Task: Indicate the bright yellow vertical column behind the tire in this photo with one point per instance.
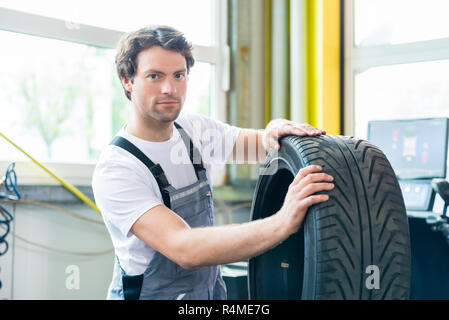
(323, 65)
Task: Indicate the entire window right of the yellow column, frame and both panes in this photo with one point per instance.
(396, 61)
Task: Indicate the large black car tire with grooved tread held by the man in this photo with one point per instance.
(335, 253)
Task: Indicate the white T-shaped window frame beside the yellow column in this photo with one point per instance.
(362, 58)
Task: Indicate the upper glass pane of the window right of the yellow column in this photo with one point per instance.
(379, 22)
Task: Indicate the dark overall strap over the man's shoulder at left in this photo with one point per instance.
(155, 169)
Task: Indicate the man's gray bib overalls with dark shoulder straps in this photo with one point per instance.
(163, 278)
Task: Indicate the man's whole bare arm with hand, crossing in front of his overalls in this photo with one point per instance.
(166, 232)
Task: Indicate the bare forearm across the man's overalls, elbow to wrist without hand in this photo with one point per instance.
(230, 243)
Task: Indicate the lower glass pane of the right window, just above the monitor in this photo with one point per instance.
(406, 91)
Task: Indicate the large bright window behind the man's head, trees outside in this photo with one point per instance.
(61, 99)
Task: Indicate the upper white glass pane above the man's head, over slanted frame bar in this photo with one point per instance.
(193, 18)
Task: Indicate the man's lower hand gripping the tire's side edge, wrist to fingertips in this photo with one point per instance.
(301, 195)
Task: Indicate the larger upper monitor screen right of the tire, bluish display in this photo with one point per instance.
(416, 149)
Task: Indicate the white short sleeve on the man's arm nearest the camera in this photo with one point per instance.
(123, 194)
